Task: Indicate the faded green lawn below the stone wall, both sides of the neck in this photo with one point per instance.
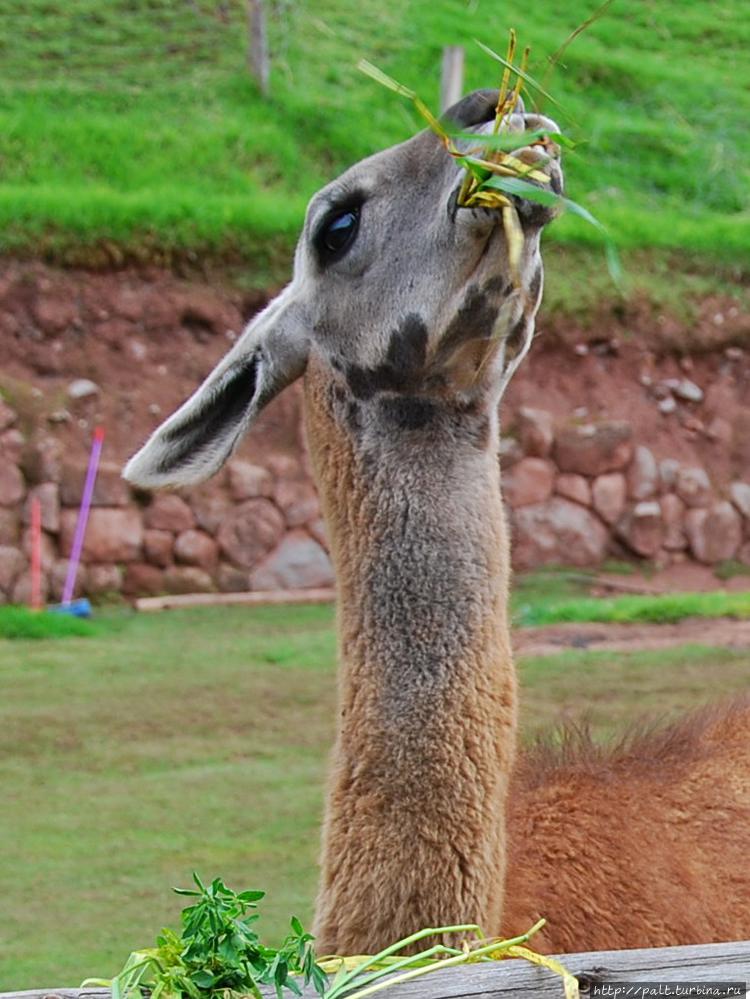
(198, 740)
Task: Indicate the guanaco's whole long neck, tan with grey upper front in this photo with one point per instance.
(414, 830)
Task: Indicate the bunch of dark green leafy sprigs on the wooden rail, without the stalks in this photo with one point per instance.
(218, 952)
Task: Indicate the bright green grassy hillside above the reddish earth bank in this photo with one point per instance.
(133, 124)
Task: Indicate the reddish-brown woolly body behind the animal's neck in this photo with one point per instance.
(643, 845)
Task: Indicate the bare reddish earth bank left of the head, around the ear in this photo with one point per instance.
(146, 339)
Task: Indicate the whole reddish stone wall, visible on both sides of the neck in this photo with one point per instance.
(576, 493)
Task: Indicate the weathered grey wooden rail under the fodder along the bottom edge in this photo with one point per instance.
(726, 962)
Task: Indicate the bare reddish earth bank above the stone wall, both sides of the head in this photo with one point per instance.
(147, 338)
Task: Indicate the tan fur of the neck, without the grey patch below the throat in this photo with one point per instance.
(414, 826)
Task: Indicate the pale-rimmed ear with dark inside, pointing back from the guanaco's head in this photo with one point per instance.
(195, 441)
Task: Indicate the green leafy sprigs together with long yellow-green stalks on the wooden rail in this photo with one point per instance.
(219, 955)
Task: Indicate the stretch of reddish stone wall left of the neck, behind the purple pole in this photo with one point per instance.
(253, 527)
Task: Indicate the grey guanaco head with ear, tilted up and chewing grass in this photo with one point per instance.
(407, 302)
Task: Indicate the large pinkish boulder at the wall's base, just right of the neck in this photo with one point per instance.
(557, 531)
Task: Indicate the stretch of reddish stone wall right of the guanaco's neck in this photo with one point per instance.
(581, 492)
